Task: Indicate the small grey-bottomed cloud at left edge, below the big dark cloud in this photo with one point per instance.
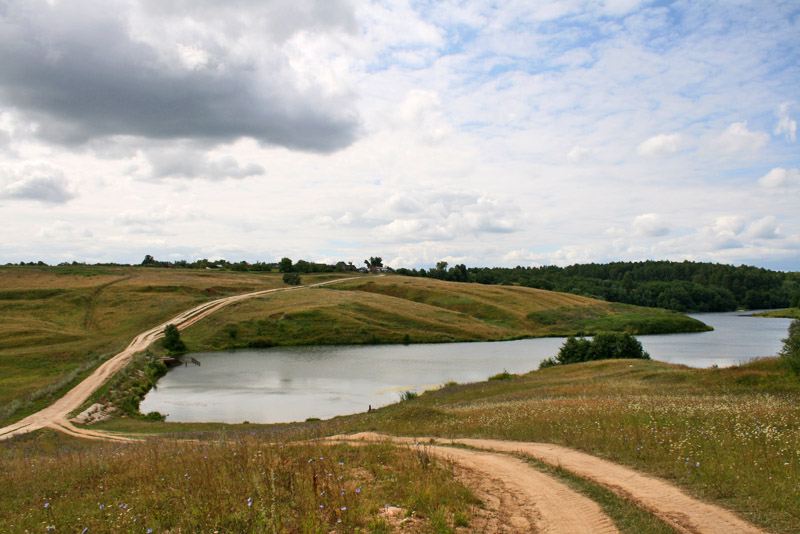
(41, 182)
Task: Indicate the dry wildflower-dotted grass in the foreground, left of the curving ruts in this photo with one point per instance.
(241, 484)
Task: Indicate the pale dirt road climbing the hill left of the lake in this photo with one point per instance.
(56, 416)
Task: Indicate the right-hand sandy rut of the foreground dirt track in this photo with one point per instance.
(665, 501)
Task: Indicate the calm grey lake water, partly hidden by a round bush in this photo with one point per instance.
(294, 383)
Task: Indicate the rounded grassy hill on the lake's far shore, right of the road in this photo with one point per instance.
(395, 309)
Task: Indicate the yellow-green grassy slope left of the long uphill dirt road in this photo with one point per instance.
(58, 323)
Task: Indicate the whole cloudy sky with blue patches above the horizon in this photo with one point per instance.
(490, 133)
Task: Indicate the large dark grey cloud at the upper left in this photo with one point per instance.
(93, 68)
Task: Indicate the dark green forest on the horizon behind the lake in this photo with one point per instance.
(681, 286)
